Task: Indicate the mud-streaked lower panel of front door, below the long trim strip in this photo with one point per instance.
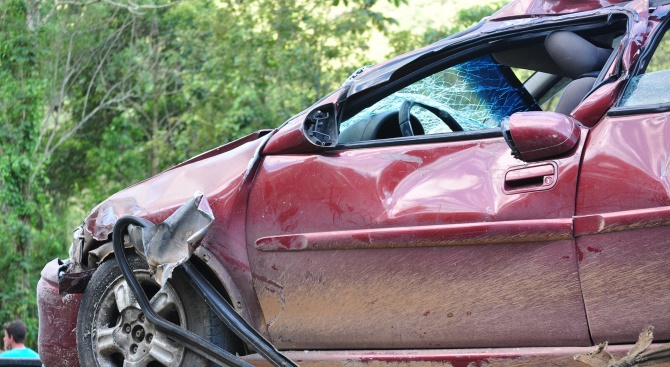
(498, 295)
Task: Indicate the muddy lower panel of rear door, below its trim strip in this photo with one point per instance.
(625, 278)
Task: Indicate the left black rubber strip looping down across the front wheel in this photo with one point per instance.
(190, 340)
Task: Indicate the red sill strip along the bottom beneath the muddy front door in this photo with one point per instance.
(521, 357)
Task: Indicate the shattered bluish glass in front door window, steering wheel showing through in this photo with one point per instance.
(474, 95)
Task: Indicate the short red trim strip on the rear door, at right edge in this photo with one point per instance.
(622, 221)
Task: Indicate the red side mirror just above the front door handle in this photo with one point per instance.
(533, 136)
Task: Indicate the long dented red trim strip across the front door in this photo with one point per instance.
(424, 236)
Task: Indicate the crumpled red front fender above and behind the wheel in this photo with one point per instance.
(222, 179)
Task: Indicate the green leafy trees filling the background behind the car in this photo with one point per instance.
(98, 95)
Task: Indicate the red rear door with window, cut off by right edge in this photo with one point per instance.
(623, 206)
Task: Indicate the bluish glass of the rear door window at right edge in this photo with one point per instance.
(651, 88)
